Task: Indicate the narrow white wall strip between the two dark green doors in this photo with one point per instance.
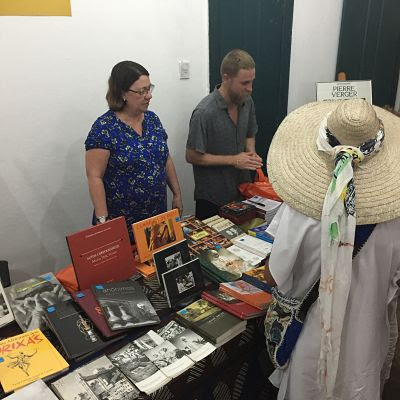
(315, 38)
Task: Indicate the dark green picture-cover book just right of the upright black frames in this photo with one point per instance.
(223, 264)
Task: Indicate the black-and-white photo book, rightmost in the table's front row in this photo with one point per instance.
(194, 346)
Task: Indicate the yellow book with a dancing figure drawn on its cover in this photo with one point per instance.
(26, 358)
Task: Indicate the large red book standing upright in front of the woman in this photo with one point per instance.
(102, 253)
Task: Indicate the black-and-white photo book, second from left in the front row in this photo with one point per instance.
(137, 367)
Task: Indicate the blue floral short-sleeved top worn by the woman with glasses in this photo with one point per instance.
(135, 179)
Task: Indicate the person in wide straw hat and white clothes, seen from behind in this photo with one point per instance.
(336, 165)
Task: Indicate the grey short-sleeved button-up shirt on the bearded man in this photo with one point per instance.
(212, 131)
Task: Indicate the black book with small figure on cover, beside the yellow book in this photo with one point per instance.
(73, 329)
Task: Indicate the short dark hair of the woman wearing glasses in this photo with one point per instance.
(122, 76)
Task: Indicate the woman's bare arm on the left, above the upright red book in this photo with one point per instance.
(96, 164)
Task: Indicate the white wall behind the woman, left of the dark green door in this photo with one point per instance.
(53, 82)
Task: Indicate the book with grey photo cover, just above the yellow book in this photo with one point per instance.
(29, 300)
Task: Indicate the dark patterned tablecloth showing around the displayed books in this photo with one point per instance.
(237, 370)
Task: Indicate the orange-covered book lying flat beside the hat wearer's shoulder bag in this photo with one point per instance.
(246, 292)
